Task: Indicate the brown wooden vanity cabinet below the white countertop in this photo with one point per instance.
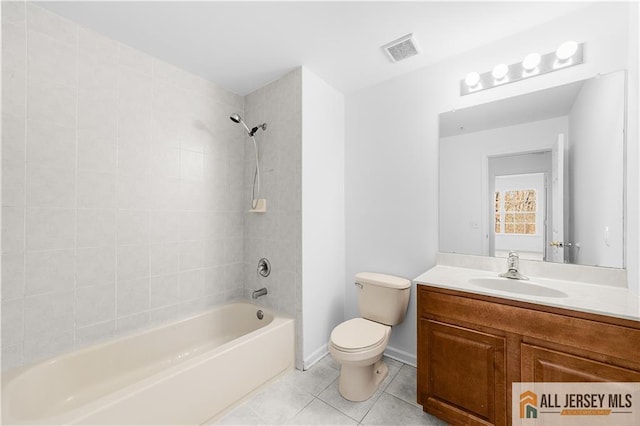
(471, 348)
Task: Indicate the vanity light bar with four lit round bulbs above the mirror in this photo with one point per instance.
(568, 54)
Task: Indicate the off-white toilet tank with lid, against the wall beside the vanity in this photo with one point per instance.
(382, 298)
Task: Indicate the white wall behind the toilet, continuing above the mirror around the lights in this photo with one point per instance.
(392, 146)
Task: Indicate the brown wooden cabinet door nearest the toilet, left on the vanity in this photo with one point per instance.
(463, 373)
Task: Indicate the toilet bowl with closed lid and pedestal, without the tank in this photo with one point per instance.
(358, 345)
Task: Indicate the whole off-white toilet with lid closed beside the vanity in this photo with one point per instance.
(358, 344)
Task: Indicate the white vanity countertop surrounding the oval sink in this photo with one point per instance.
(607, 300)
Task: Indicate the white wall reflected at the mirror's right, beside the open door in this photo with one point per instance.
(596, 124)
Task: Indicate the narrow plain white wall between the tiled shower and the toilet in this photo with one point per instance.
(323, 222)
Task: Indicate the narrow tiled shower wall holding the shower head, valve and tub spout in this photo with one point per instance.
(276, 234)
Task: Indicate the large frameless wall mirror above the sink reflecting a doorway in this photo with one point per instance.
(540, 173)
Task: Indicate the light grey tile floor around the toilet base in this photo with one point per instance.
(312, 398)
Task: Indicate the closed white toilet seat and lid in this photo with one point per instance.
(357, 335)
